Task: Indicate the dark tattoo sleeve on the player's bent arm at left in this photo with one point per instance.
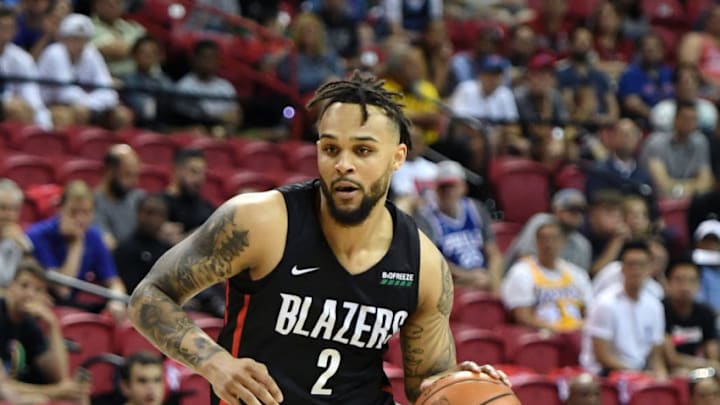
(198, 262)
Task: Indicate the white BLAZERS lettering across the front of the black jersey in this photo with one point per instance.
(344, 322)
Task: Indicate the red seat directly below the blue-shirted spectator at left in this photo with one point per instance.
(92, 333)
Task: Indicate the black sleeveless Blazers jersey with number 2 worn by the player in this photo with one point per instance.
(320, 330)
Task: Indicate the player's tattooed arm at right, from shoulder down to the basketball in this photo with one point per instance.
(427, 342)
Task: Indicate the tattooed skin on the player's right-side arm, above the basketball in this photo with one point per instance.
(427, 343)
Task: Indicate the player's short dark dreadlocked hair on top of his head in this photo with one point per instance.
(365, 89)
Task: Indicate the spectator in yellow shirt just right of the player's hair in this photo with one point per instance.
(404, 74)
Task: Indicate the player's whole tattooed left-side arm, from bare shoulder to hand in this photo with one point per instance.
(240, 236)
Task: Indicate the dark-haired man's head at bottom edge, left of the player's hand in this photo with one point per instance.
(142, 379)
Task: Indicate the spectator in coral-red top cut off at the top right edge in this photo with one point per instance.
(701, 49)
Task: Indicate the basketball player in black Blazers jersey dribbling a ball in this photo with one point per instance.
(320, 275)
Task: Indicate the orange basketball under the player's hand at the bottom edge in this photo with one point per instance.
(467, 388)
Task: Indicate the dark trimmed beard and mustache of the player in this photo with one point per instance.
(378, 189)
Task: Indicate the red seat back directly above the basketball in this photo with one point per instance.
(480, 346)
